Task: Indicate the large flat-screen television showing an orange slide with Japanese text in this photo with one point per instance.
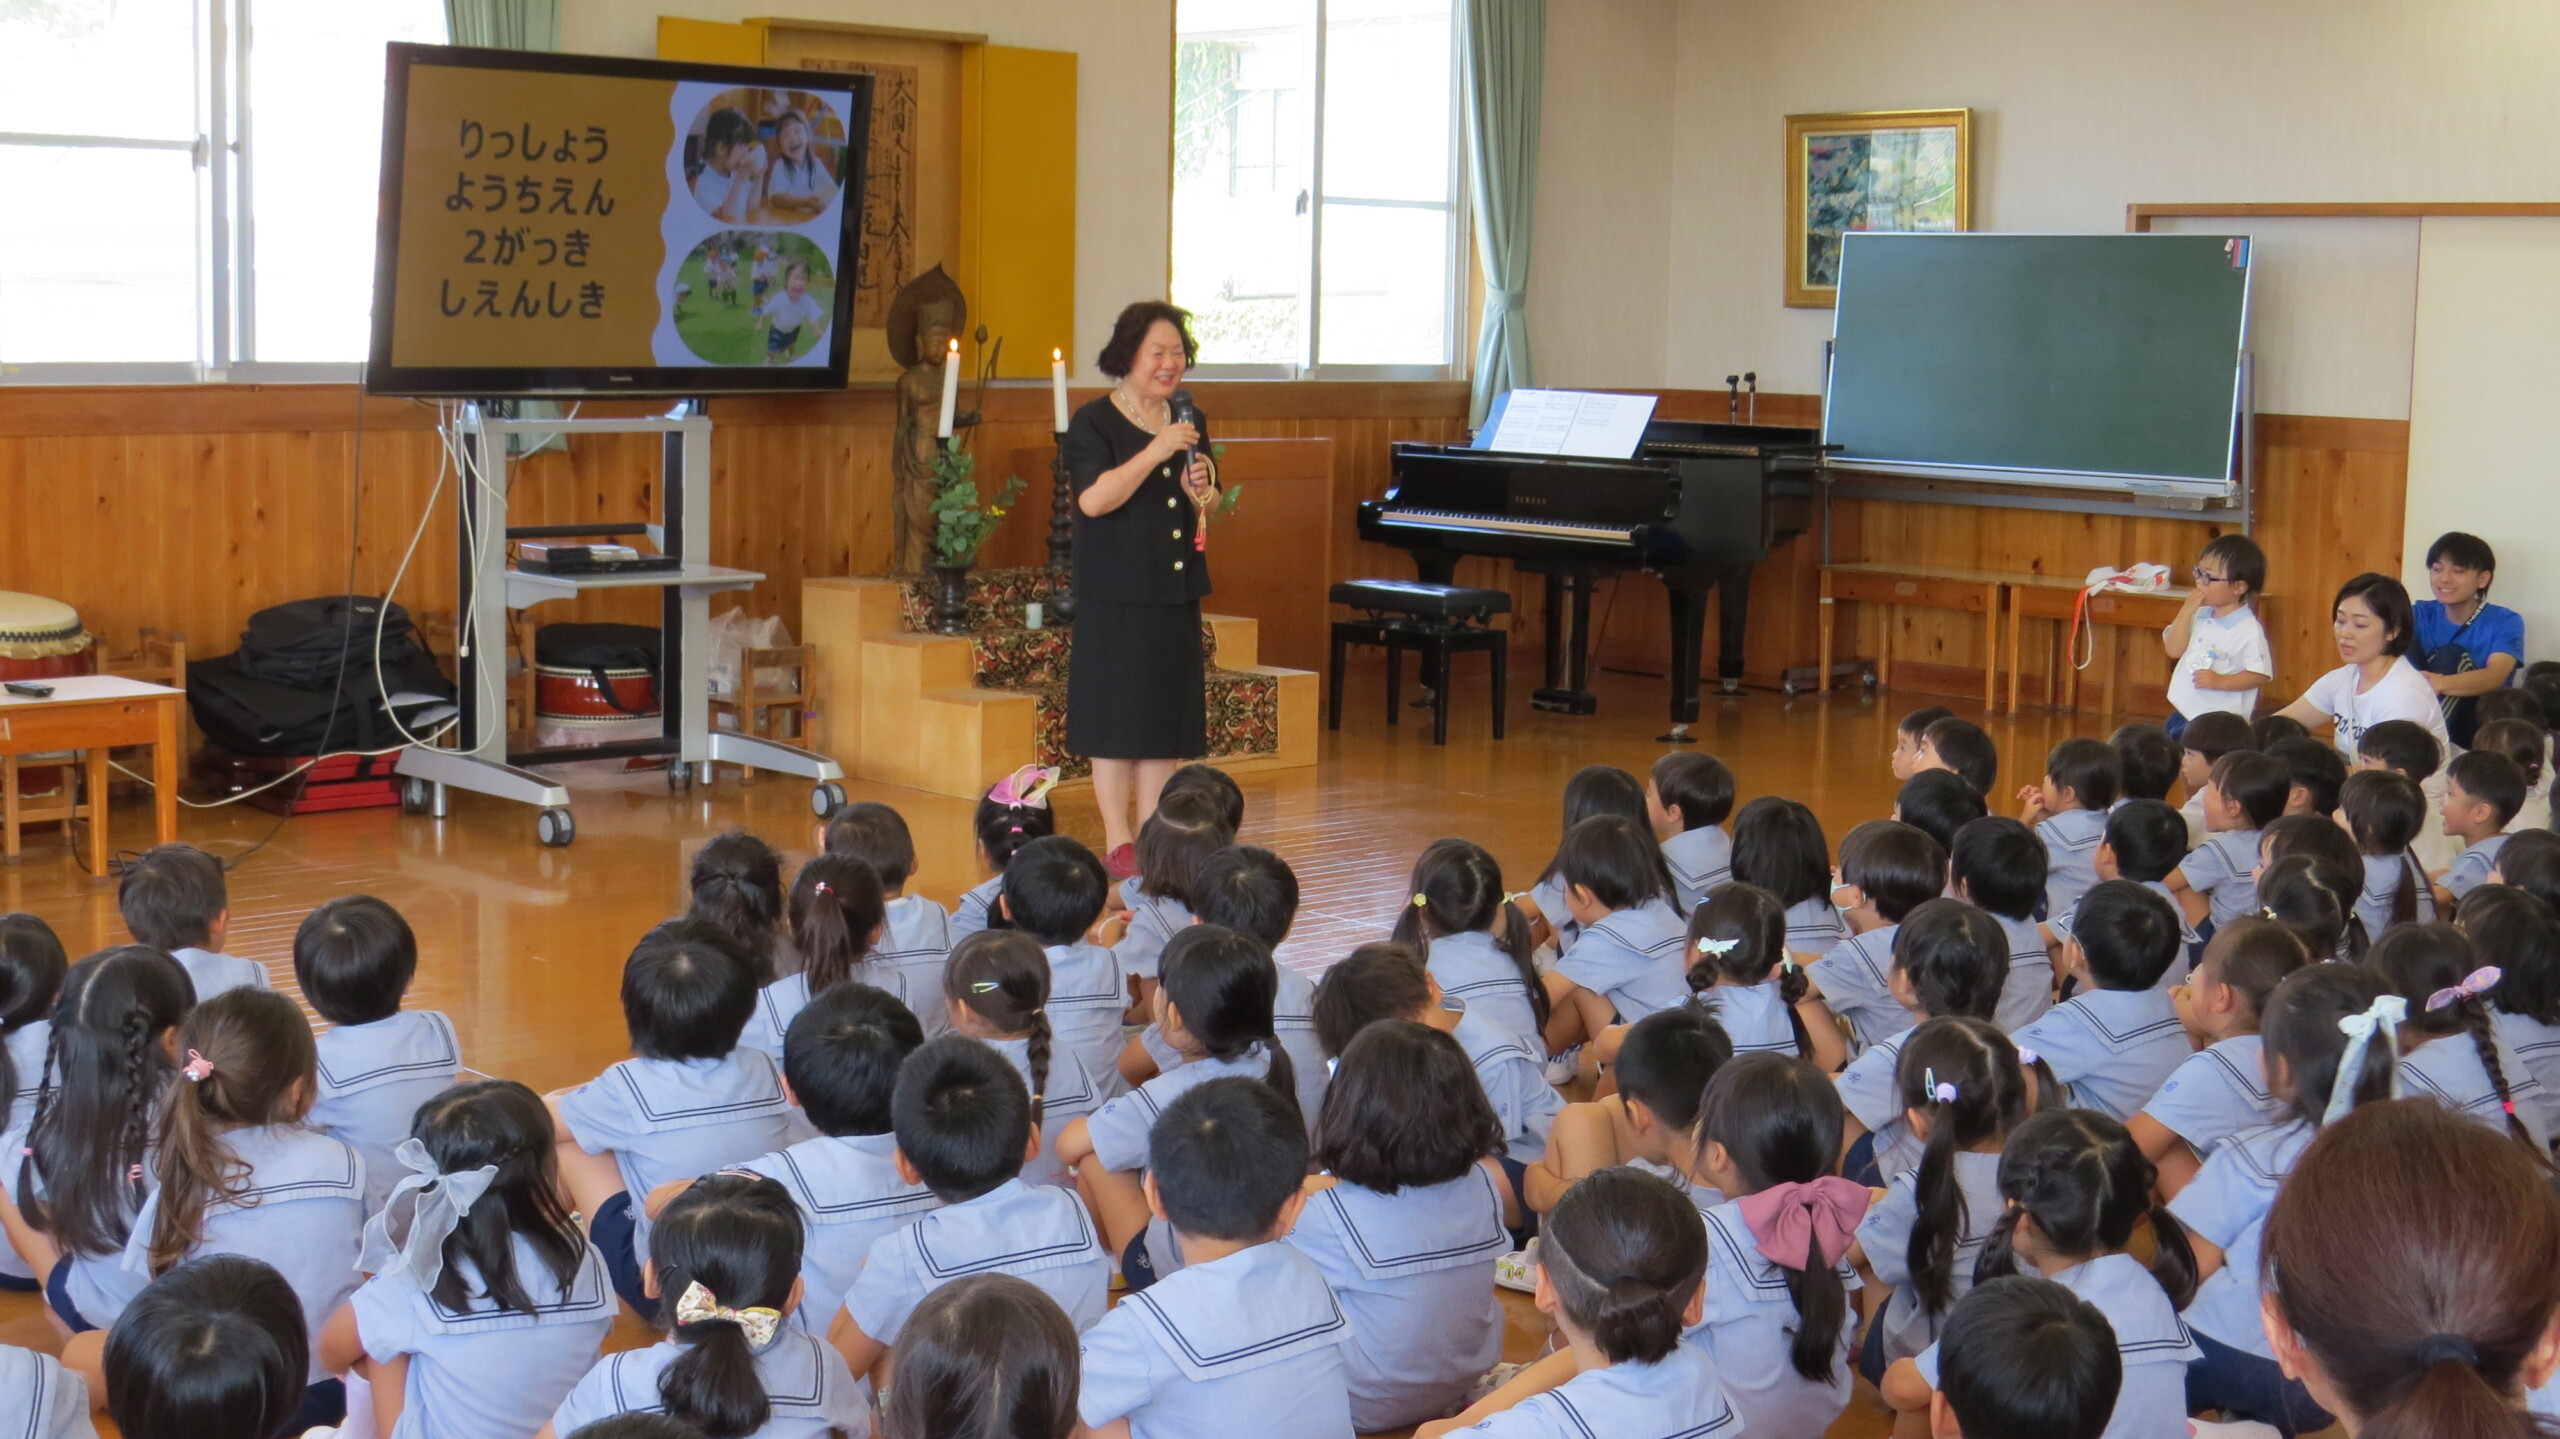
(559, 224)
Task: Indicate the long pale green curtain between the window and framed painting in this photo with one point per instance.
(1507, 65)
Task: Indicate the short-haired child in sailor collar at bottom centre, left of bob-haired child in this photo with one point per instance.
(1245, 1333)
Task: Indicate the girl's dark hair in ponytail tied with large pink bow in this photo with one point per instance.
(1780, 1123)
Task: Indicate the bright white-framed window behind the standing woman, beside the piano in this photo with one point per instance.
(1317, 211)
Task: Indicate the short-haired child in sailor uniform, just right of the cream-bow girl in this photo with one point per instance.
(964, 1133)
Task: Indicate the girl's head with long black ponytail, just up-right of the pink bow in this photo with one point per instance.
(1967, 1079)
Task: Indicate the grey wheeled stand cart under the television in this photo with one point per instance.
(488, 588)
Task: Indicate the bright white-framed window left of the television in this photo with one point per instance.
(191, 186)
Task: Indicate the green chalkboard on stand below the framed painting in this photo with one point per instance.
(2054, 360)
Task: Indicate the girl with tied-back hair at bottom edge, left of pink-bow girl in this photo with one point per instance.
(1622, 1271)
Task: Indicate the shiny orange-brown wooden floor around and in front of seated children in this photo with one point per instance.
(524, 946)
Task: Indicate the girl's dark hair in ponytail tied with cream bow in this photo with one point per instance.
(726, 1253)
